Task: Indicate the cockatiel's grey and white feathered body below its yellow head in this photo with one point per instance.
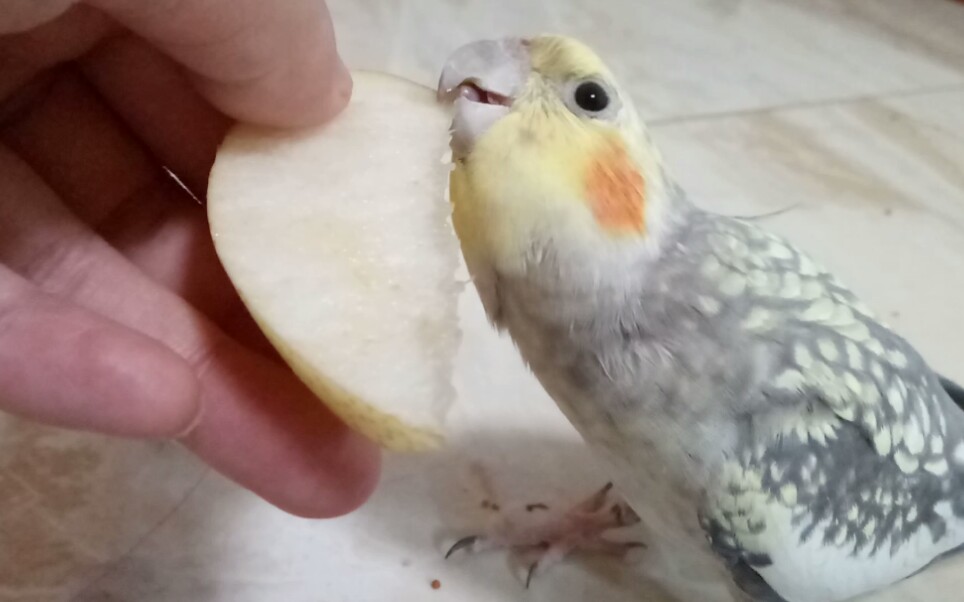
(760, 385)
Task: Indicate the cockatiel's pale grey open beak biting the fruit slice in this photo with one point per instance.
(482, 79)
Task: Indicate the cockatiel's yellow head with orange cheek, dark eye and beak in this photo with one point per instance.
(550, 156)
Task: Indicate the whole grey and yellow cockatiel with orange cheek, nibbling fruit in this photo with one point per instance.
(767, 429)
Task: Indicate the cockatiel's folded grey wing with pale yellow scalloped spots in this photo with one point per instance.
(850, 473)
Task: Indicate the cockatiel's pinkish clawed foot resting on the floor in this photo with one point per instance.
(544, 543)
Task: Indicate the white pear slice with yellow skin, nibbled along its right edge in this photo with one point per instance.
(339, 241)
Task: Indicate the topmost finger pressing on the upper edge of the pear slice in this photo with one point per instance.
(274, 63)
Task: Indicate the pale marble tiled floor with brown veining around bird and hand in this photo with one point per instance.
(850, 112)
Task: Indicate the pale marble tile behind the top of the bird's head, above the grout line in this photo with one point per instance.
(692, 56)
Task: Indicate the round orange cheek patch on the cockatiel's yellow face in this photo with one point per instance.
(616, 191)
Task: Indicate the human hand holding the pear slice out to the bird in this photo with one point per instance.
(115, 315)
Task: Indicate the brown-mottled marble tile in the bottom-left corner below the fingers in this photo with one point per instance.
(72, 503)
